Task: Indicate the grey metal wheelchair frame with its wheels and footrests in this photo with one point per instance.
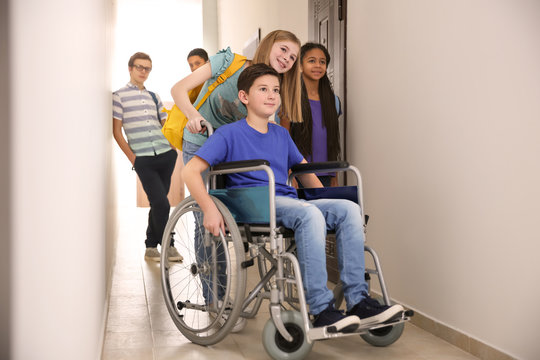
(287, 333)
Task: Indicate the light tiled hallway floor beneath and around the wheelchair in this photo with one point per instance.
(139, 327)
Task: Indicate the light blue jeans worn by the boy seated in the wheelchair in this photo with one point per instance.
(310, 220)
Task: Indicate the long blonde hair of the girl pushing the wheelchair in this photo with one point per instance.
(291, 88)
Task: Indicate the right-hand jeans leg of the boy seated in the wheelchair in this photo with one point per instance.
(344, 217)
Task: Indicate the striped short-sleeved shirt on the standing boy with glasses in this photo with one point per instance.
(137, 110)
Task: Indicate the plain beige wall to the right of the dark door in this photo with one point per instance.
(444, 123)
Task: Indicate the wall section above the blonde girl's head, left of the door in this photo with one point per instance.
(239, 19)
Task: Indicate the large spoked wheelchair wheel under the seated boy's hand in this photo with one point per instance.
(204, 292)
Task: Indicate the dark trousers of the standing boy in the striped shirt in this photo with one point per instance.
(155, 175)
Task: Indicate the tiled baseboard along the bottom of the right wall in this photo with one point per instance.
(457, 338)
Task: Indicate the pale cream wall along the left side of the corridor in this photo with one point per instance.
(60, 136)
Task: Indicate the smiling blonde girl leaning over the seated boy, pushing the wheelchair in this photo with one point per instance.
(279, 49)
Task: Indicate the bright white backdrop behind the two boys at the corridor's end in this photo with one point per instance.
(171, 29)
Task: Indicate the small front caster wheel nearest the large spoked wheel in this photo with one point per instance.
(279, 348)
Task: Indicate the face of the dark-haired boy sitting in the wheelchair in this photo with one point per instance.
(263, 97)
